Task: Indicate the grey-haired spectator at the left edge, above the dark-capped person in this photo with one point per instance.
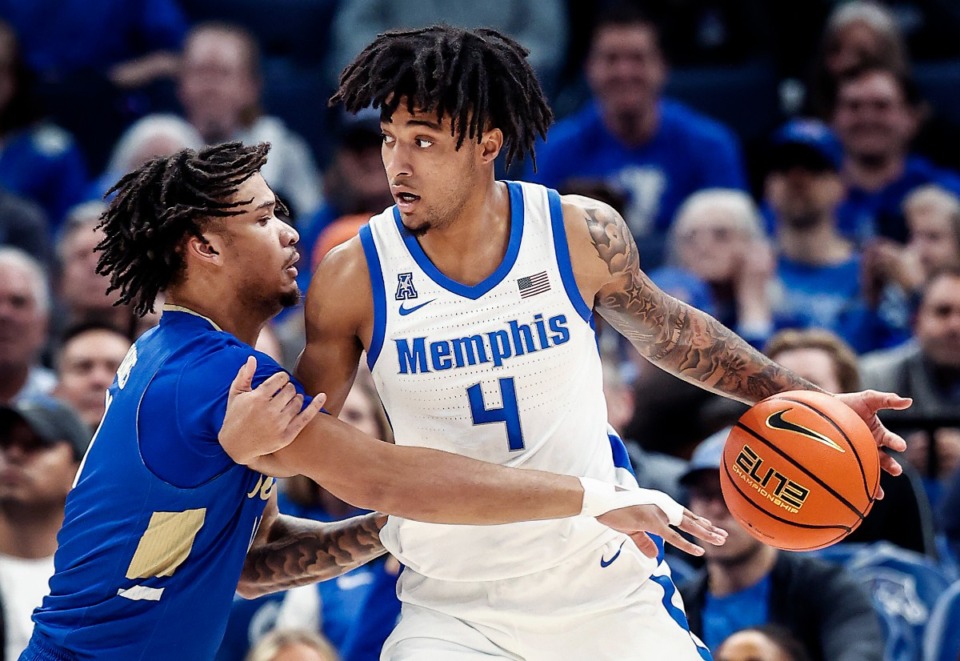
(24, 320)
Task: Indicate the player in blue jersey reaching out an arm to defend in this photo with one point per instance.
(175, 501)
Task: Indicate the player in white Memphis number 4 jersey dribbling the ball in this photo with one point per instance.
(474, 301)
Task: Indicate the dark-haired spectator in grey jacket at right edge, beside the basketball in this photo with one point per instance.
(928, 370)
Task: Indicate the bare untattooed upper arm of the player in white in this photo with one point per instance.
(338, 321)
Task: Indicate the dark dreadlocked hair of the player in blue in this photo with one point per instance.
(159, 204)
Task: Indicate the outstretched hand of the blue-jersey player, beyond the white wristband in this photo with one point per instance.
(638, 520)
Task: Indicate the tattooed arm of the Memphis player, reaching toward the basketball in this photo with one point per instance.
(679, 338)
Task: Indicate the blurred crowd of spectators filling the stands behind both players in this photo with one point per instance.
(789, 167)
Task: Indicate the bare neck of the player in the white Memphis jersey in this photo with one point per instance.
(471, 245)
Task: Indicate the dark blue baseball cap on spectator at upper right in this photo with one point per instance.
(807, 143)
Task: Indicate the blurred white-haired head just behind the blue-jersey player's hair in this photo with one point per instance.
(151, 136)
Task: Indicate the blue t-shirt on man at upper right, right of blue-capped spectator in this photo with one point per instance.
(865, 214)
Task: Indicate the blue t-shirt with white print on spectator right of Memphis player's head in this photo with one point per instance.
(688, 152)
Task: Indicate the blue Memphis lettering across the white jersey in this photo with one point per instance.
(419, 354)
